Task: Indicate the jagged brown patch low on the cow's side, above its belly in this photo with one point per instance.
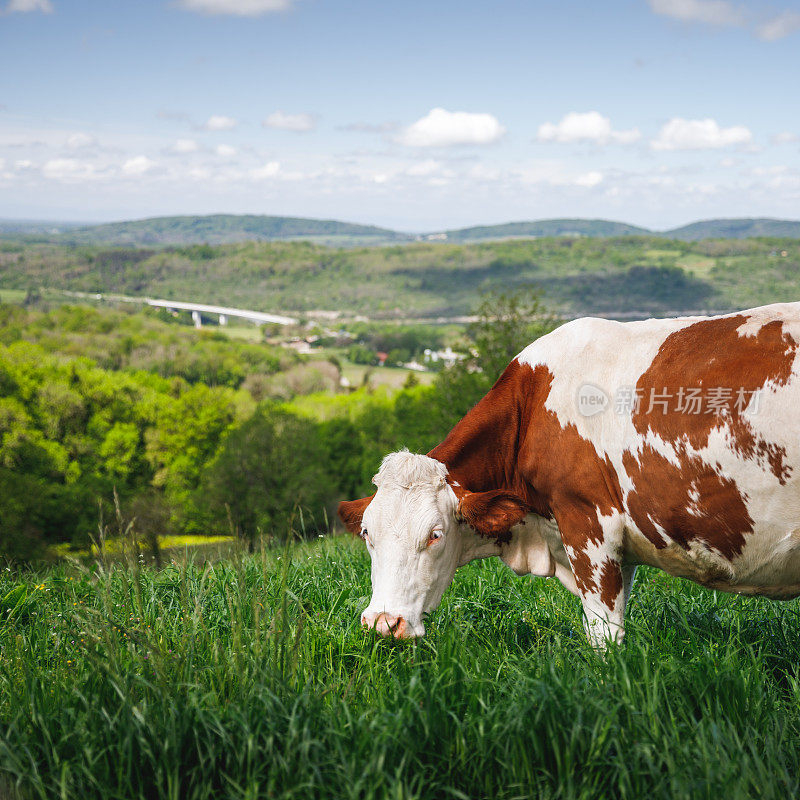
(689, 501)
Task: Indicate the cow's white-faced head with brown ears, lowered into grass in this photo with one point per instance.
(418, 529)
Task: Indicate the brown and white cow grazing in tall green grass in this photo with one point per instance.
(604, 445)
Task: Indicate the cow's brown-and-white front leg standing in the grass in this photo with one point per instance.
(604, 583)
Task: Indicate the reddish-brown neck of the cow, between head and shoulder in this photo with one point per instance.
(481, 452)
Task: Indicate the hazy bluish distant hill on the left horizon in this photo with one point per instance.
(225, 229)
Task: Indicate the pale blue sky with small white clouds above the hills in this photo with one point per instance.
(415, 115)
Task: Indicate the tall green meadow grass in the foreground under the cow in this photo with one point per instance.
(250, 678)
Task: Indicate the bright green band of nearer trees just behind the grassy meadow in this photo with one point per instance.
(195, 458)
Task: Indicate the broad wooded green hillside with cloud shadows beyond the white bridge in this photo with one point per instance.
(622, 276)
